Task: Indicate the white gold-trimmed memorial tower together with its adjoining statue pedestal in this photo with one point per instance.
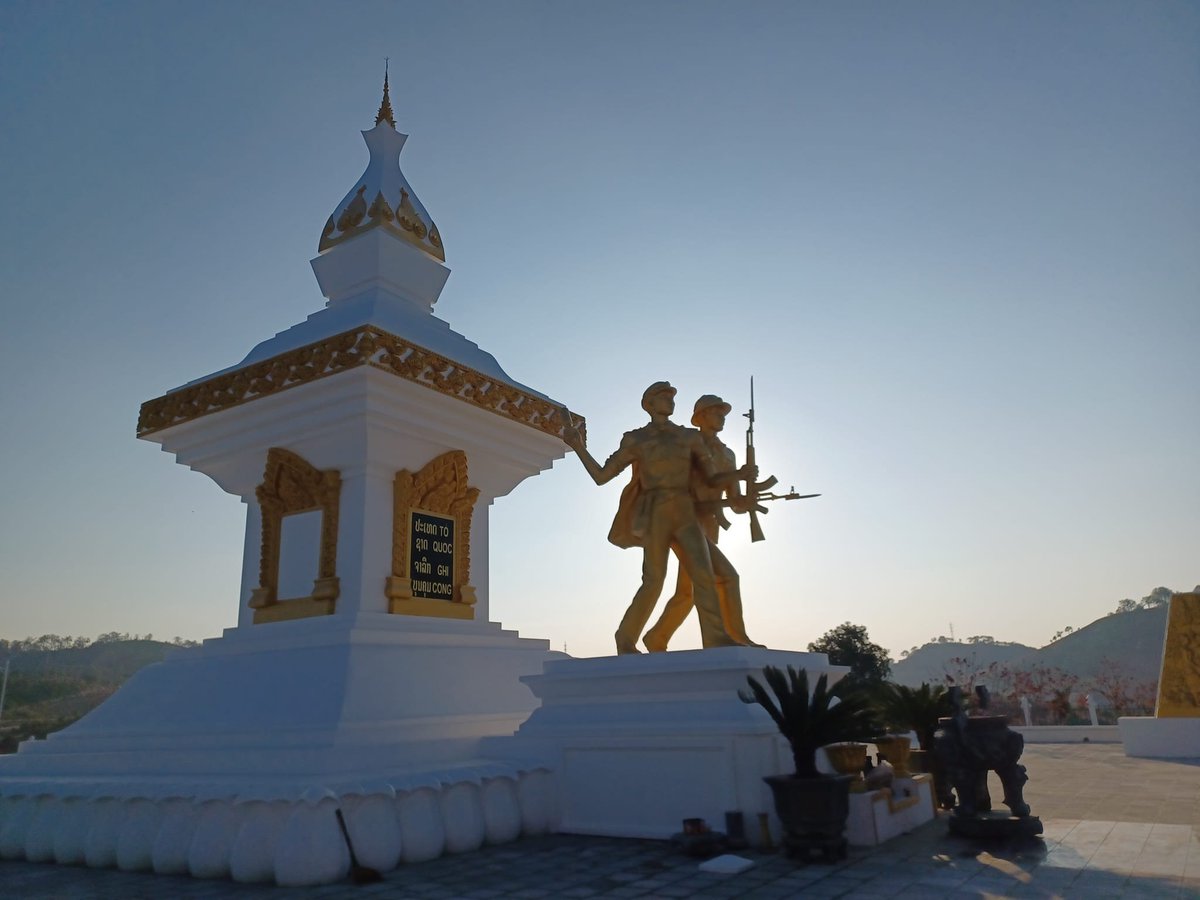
(365, 674)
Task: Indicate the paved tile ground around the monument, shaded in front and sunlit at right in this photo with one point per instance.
(1114, 829)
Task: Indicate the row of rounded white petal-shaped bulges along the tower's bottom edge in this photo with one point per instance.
(257, 839)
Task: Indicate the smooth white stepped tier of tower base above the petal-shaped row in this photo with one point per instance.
(315, 701)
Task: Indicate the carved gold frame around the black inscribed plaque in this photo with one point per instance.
(440, 488)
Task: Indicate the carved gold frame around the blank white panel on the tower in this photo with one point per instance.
(292, 485)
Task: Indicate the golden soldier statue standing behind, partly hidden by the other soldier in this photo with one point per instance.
(709, 416)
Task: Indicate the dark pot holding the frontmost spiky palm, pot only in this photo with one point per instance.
(814, 813)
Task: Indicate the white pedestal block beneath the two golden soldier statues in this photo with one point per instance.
(639, 743)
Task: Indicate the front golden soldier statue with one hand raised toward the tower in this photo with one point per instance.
(657, 512)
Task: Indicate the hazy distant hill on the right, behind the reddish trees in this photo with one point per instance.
(1133, 639)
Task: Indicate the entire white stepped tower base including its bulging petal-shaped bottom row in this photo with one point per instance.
(229, 760)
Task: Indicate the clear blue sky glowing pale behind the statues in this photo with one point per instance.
(957, 245)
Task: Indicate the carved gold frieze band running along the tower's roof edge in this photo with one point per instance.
(363, 347)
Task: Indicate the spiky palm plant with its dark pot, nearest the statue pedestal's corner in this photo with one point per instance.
(812, 806)
